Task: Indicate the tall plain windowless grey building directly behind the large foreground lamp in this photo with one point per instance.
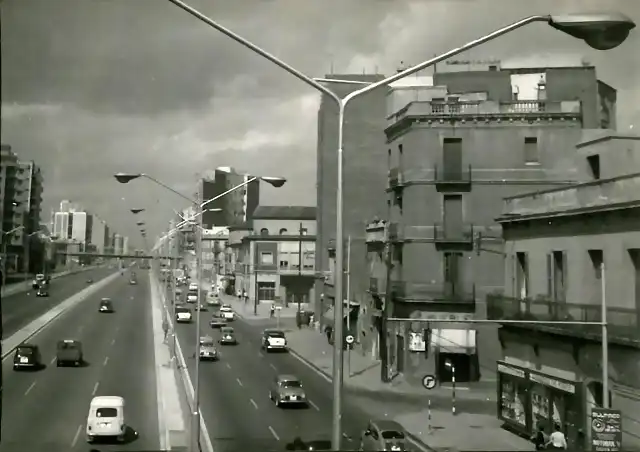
(365, 171)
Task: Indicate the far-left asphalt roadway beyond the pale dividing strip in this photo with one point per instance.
(20, 309)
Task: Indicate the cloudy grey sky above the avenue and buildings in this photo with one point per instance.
(94, 87)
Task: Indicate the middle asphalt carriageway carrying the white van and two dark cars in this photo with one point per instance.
(47, 410)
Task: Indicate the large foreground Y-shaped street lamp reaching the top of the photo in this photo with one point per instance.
(600, 31)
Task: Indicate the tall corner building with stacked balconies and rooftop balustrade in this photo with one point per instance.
(457, 145)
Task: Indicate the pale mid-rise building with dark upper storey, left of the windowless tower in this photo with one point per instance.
(275, 259)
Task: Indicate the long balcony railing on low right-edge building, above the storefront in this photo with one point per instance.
(624, 323)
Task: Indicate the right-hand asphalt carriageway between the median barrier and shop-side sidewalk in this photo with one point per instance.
(235, 395)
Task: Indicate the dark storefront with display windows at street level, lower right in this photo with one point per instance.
(528, 399)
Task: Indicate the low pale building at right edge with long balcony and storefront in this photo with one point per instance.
(572, 253)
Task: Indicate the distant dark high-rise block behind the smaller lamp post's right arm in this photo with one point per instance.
(235, 207)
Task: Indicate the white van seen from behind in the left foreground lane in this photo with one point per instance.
(106, 418)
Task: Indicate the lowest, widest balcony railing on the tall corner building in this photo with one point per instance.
(435, 293)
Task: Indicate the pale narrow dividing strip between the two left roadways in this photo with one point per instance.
(37, 325)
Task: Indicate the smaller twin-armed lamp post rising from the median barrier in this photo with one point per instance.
(199, 204)
